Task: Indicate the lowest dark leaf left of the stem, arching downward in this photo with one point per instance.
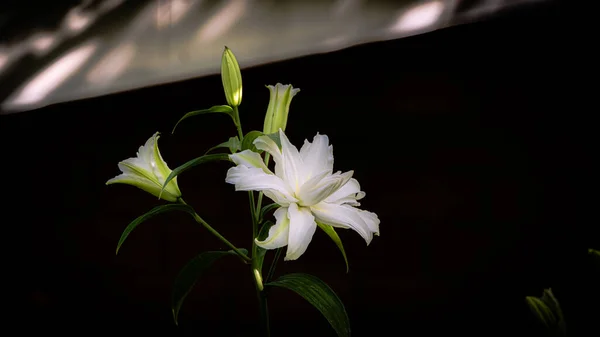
(189, 275)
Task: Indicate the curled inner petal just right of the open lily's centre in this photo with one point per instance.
(318, 188)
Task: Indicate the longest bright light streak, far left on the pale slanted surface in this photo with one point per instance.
(53, 76)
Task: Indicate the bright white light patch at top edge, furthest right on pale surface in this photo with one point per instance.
(419, 17)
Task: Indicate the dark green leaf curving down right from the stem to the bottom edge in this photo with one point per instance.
(320, 295)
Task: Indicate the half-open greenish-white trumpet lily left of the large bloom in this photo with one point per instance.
(148, 171)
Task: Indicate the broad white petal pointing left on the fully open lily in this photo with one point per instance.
(255, 179)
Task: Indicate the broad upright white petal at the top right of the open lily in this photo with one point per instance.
(316, 156)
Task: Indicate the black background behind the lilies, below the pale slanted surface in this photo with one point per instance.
(463, 139)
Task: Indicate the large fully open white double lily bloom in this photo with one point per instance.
(307, 190)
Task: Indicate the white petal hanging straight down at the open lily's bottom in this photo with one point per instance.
(302, 229)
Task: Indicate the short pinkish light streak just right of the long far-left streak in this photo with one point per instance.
(112, 65)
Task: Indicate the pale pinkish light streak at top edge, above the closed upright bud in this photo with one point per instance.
(222, 21)
